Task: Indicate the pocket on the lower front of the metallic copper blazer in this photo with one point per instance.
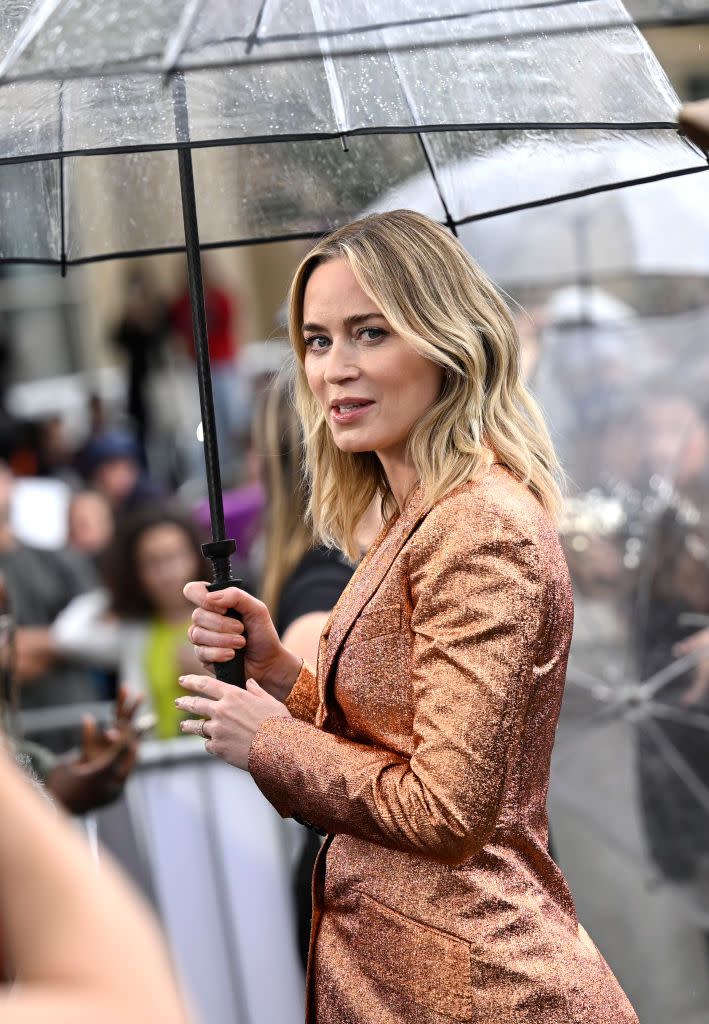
(432, 967)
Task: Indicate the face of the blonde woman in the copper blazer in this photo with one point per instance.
(372, 385)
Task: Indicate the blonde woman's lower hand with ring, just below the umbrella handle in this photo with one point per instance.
(230, 717)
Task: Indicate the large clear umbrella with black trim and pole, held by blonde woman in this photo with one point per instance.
(123, 125)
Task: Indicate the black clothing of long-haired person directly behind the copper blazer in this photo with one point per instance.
(315, 585)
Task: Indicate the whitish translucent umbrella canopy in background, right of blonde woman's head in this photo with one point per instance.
(660, 228)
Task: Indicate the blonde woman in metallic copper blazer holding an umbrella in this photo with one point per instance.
(423, 745)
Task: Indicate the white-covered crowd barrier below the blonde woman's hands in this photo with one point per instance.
(214, 857)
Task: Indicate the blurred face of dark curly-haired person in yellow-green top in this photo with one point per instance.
(165, 562)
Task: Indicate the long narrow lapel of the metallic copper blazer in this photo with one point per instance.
(361, 589)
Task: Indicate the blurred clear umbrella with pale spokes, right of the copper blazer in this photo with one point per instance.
(630, 799)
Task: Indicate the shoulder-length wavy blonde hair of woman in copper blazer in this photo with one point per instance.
(435, 296)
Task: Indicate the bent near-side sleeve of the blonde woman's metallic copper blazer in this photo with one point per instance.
(477, 598)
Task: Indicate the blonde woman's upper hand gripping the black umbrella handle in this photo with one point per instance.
(217, 637)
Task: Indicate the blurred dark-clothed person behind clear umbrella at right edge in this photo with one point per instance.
(673, 602)
